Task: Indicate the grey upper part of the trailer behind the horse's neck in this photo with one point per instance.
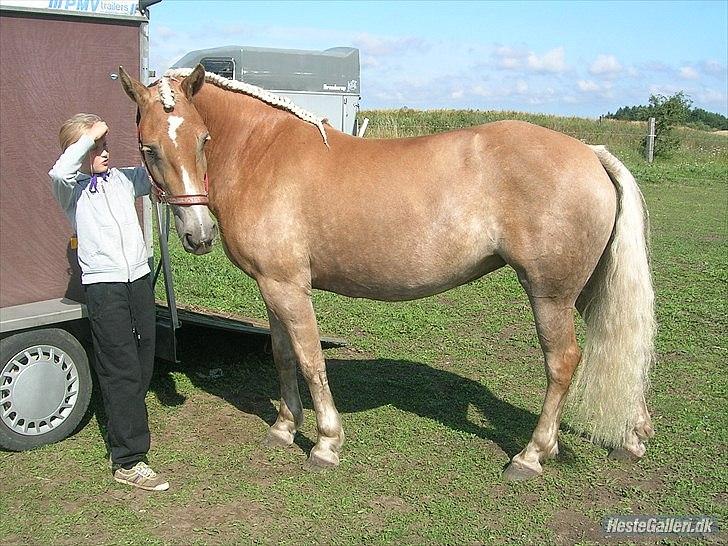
(334, 70)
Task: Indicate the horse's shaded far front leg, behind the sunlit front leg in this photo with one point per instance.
(290, 411)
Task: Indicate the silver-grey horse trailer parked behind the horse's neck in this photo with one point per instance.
(324, 82)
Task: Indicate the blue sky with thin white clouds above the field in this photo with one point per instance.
(567, 58)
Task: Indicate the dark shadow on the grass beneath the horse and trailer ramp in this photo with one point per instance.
(240, 370)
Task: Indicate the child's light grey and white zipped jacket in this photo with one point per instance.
(111, 246)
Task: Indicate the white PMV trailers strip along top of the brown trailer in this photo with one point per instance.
(118, 9)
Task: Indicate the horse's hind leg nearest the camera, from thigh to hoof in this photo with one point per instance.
(555, 326)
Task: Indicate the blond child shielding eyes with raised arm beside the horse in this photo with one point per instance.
(99, 202)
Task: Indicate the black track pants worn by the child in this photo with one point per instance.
(122, 319)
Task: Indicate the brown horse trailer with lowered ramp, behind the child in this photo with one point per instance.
(45, 376)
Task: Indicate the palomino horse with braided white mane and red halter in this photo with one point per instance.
(300, 205)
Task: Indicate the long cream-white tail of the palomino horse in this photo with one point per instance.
(612, 379)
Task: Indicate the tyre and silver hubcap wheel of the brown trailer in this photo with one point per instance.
(45, 388)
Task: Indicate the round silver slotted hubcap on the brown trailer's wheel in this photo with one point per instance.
(38, 390)
